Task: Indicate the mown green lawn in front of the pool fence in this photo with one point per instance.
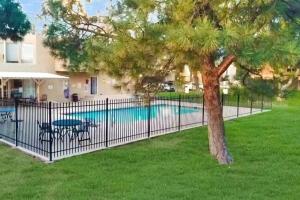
(266, 149)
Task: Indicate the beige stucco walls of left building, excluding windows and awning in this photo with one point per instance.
(54, 89)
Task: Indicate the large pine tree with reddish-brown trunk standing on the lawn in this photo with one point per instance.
(142, 39)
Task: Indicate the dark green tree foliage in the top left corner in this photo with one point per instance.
(13, 22)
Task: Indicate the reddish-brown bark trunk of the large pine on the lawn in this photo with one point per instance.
(216, 129)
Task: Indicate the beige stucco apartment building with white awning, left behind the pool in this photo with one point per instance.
(27, 70)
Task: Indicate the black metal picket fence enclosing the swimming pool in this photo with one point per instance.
(56, 130)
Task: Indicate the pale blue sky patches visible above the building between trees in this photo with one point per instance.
(33, 8)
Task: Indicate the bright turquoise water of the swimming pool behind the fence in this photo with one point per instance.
(133, 114)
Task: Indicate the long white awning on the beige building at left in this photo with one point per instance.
(30, 75)
